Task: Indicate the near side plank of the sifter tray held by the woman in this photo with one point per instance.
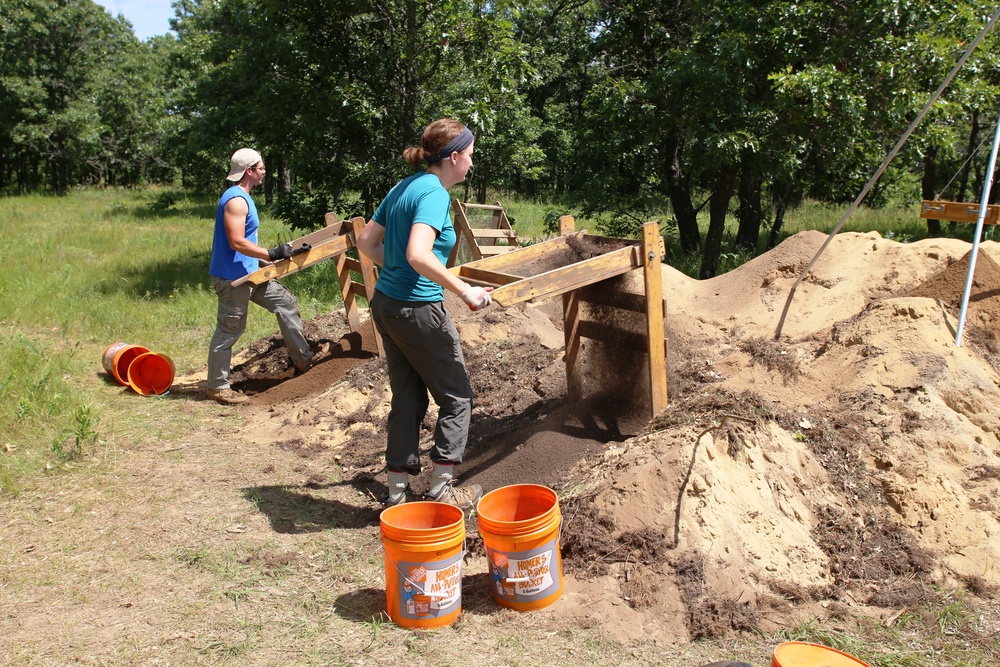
(567, 278)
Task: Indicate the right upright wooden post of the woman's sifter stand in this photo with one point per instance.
(651, 244)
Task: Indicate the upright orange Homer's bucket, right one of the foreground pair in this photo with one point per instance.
(520, 529)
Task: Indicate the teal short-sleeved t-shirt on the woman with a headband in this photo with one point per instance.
(419, 198)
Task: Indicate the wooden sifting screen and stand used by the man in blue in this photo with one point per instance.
(331, 242)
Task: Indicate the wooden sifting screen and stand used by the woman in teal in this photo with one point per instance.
(513, 284)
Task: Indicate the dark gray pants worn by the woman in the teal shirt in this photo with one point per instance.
(424, 355)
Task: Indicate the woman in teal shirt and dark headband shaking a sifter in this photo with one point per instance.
(411, 236)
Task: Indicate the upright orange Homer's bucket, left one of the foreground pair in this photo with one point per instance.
(423, 547)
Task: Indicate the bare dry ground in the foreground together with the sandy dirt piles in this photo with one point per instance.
(850, 468)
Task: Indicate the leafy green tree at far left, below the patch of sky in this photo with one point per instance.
(78, 104)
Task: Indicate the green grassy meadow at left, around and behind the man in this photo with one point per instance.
(97, 267)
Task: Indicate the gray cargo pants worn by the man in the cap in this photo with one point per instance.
(232, 322)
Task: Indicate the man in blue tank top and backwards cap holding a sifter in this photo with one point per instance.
(235, 254)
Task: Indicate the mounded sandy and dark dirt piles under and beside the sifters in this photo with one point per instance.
(851, 463)
